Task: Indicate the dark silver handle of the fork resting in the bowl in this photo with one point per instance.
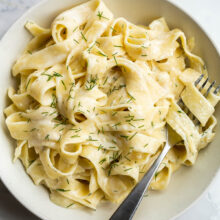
(128, 207)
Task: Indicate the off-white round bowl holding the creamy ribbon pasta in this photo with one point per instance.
(186, 185)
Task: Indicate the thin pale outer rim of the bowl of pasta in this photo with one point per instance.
(206, 33)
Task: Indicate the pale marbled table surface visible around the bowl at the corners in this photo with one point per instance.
(207, 14)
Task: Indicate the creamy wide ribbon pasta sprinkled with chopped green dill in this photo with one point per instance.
(94, 96)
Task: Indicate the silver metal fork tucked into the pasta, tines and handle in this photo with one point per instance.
(129, 206)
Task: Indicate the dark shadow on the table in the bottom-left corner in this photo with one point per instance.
(11, 209)
